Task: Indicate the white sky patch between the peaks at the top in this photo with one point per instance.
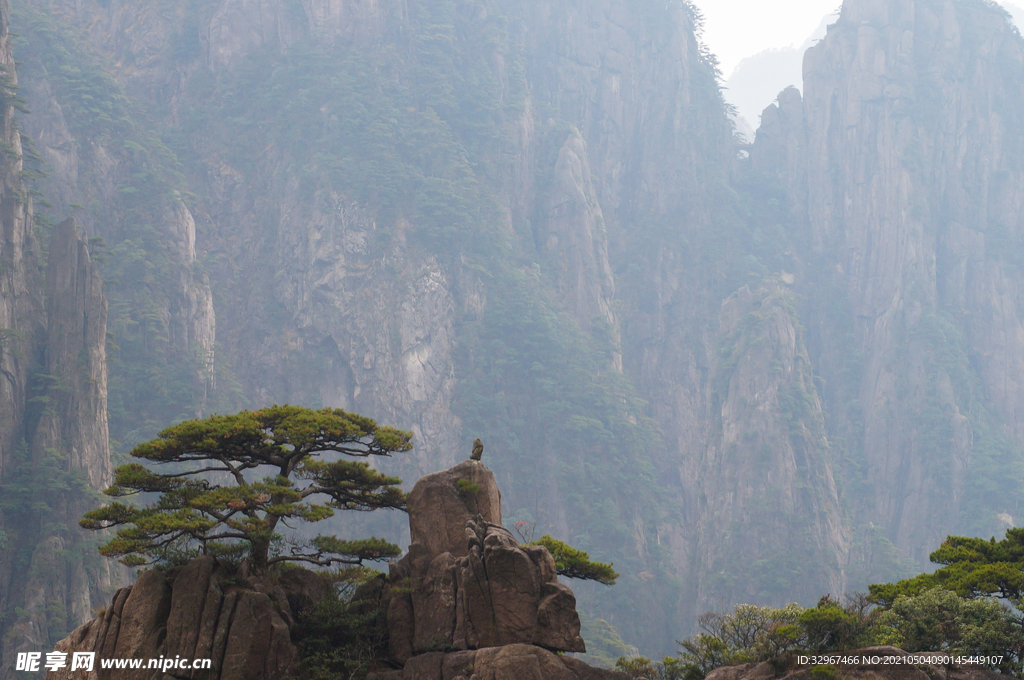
(735, 29)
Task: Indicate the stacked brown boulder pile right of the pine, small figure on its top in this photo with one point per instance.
(477, 589)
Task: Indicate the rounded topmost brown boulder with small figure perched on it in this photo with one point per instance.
(442, 503)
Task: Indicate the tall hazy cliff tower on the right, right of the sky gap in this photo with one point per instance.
(902, 163)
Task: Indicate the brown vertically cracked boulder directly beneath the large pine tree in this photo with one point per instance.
(201, 611)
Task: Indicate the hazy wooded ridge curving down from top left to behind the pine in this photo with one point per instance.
(104, 162)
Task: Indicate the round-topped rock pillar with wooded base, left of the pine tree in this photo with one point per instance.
(52, 577)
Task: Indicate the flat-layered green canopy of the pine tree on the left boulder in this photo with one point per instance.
(234, 480)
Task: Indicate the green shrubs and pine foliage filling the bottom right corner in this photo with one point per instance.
(959, 610)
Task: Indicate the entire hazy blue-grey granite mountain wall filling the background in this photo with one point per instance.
(755, 379)
